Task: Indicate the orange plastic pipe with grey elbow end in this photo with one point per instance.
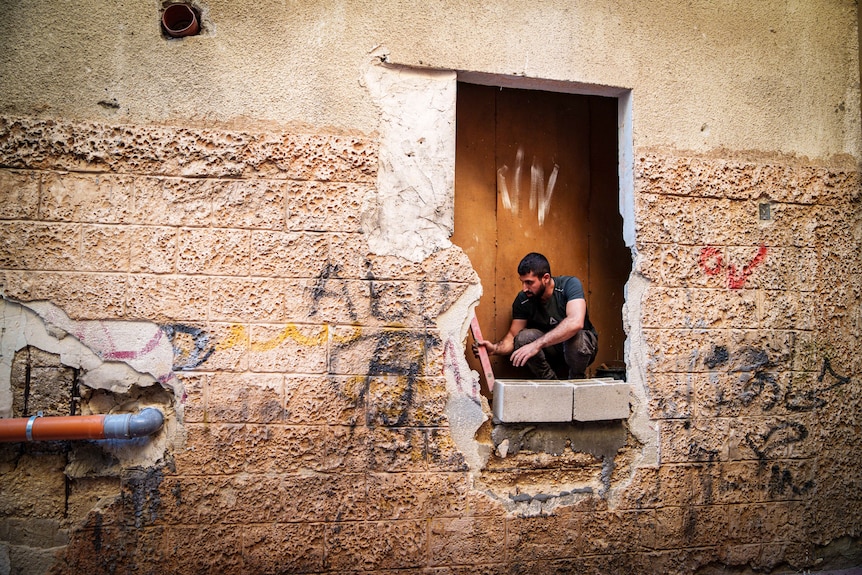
(119, 426)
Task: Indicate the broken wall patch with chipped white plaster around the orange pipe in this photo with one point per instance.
(74, 368)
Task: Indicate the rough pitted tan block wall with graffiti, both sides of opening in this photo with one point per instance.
(313, 387)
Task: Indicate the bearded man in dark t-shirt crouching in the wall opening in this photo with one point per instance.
(551, 331)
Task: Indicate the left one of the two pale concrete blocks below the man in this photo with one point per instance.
(517, 401)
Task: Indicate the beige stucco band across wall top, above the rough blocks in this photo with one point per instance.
(769, 76)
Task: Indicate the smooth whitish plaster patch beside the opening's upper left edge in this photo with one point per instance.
(413, 213)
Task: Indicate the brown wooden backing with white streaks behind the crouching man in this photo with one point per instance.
(538, 170)
